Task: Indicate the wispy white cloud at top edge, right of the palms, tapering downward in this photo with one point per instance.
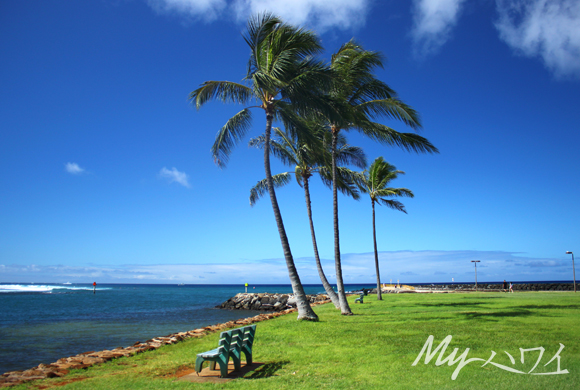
(433, 22)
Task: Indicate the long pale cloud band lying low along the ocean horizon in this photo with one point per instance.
(403, 266)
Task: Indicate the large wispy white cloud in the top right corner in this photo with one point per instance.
(549, 29)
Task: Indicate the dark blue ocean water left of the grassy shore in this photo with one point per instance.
(43, 323)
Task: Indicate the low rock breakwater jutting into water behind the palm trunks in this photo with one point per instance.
(267, 302)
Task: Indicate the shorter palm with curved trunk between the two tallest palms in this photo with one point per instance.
(309, 158)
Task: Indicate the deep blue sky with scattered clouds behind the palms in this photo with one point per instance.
(106, 172)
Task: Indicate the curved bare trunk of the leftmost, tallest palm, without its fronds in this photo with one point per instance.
(305, 312)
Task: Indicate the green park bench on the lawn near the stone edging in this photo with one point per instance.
(232, 344)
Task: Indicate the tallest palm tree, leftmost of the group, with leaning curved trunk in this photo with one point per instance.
(285, 82)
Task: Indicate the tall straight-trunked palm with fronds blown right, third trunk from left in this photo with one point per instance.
(361, 99)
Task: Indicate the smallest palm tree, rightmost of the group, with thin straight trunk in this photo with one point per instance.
(374, 182)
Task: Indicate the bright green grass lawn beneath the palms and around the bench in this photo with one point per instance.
(375, 348)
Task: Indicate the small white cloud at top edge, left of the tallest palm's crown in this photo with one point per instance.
(203, 9)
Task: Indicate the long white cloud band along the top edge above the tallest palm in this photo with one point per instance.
(318, 14)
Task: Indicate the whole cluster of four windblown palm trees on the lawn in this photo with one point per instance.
(315, 102)
